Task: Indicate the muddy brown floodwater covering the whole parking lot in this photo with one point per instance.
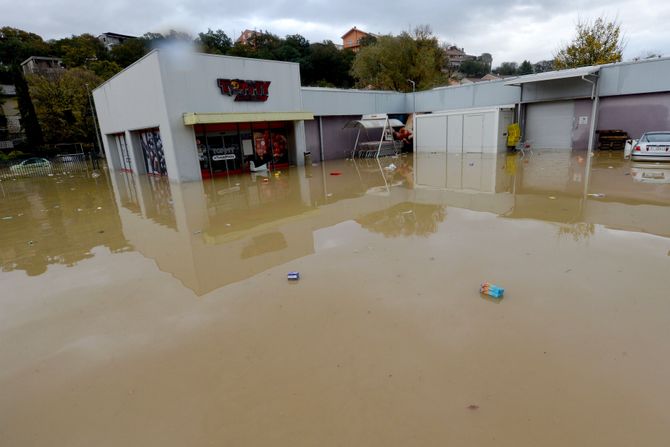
(137, 312)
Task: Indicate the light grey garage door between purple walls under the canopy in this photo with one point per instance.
(549, 125)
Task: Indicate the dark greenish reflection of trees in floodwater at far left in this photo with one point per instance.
(56, 220)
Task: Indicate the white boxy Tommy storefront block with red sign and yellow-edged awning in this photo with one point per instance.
(190, 116)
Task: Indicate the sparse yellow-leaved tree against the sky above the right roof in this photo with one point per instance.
(596, 42)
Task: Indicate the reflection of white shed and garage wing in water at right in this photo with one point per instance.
(556, 186)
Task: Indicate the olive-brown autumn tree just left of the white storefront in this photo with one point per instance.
(62, 105)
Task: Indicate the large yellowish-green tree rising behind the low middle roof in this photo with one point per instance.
(392, 60)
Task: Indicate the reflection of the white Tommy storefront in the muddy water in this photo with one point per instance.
(209, 234)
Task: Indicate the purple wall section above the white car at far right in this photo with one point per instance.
(635, 114)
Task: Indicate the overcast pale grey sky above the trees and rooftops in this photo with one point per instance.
(508, 29)
